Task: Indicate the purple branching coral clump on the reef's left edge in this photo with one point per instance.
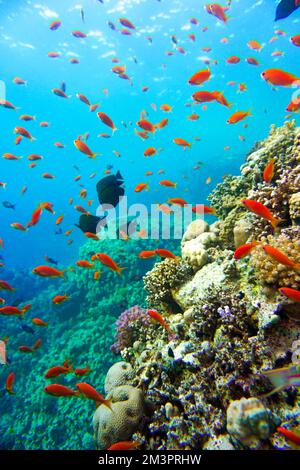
(128, 322)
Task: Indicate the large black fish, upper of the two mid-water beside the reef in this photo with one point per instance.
(110, 189)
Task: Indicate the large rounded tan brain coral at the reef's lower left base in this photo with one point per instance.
(118, 424)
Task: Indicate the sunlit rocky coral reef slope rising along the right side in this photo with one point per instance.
(206, 382)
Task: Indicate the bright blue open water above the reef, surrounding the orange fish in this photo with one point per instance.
(25, 41)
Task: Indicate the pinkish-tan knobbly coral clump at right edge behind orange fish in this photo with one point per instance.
(268, 270)
